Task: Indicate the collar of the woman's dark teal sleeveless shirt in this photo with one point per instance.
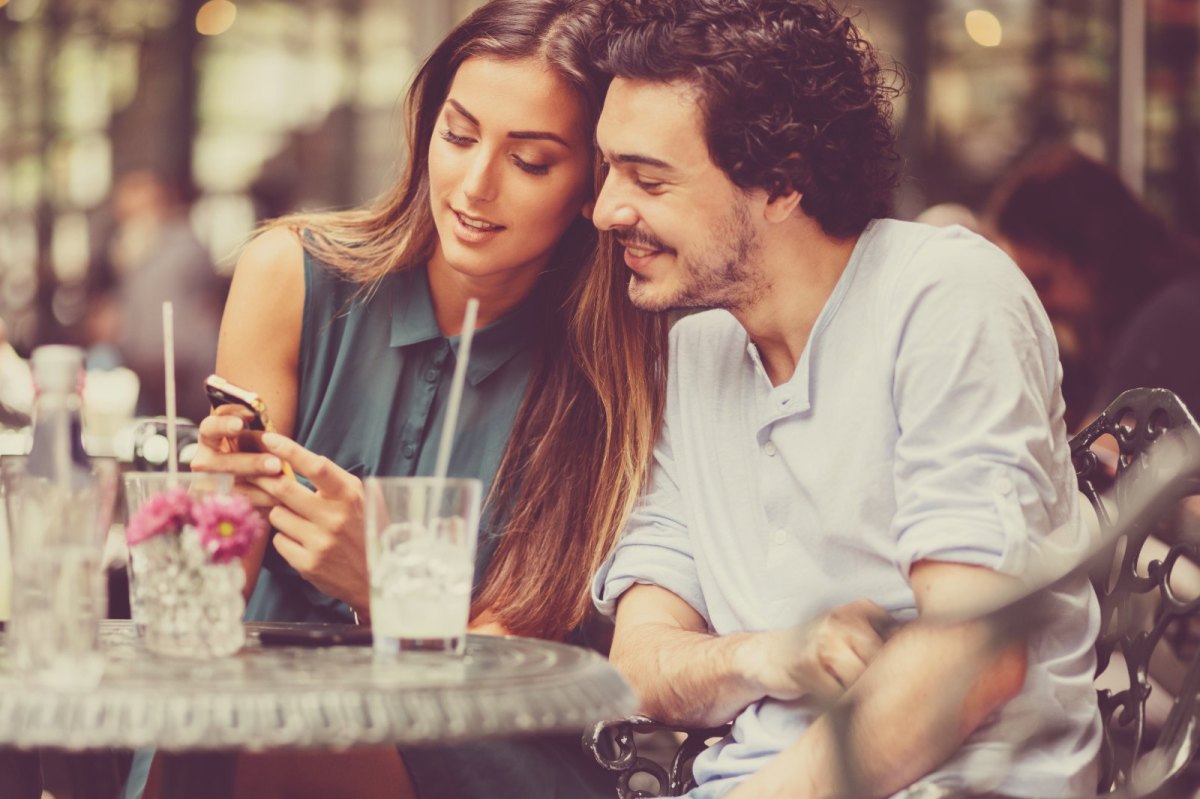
(413, 322)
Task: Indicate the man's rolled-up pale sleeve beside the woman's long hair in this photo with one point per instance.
(656, 548)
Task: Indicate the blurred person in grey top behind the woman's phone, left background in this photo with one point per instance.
(155, 256)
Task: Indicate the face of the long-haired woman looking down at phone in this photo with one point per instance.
(511, 169)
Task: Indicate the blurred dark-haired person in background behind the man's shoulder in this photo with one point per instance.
(1121, 287)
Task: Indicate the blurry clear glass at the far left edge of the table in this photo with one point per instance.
(59, 593)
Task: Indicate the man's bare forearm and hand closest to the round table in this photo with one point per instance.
(685, 675)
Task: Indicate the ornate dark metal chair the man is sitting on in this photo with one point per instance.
(1136, 420)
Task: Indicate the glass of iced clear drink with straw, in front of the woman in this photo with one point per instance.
(422, 538)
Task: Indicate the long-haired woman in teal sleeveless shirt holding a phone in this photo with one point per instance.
(344, 325)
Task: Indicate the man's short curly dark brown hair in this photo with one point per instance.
(793, 95)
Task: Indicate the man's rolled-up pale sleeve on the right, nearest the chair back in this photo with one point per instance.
(977, 472)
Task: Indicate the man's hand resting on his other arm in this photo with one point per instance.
(821, 659)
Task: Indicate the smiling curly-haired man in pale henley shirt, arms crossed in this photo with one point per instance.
(868, 429)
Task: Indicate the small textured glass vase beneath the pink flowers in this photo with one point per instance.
(191, 606)
